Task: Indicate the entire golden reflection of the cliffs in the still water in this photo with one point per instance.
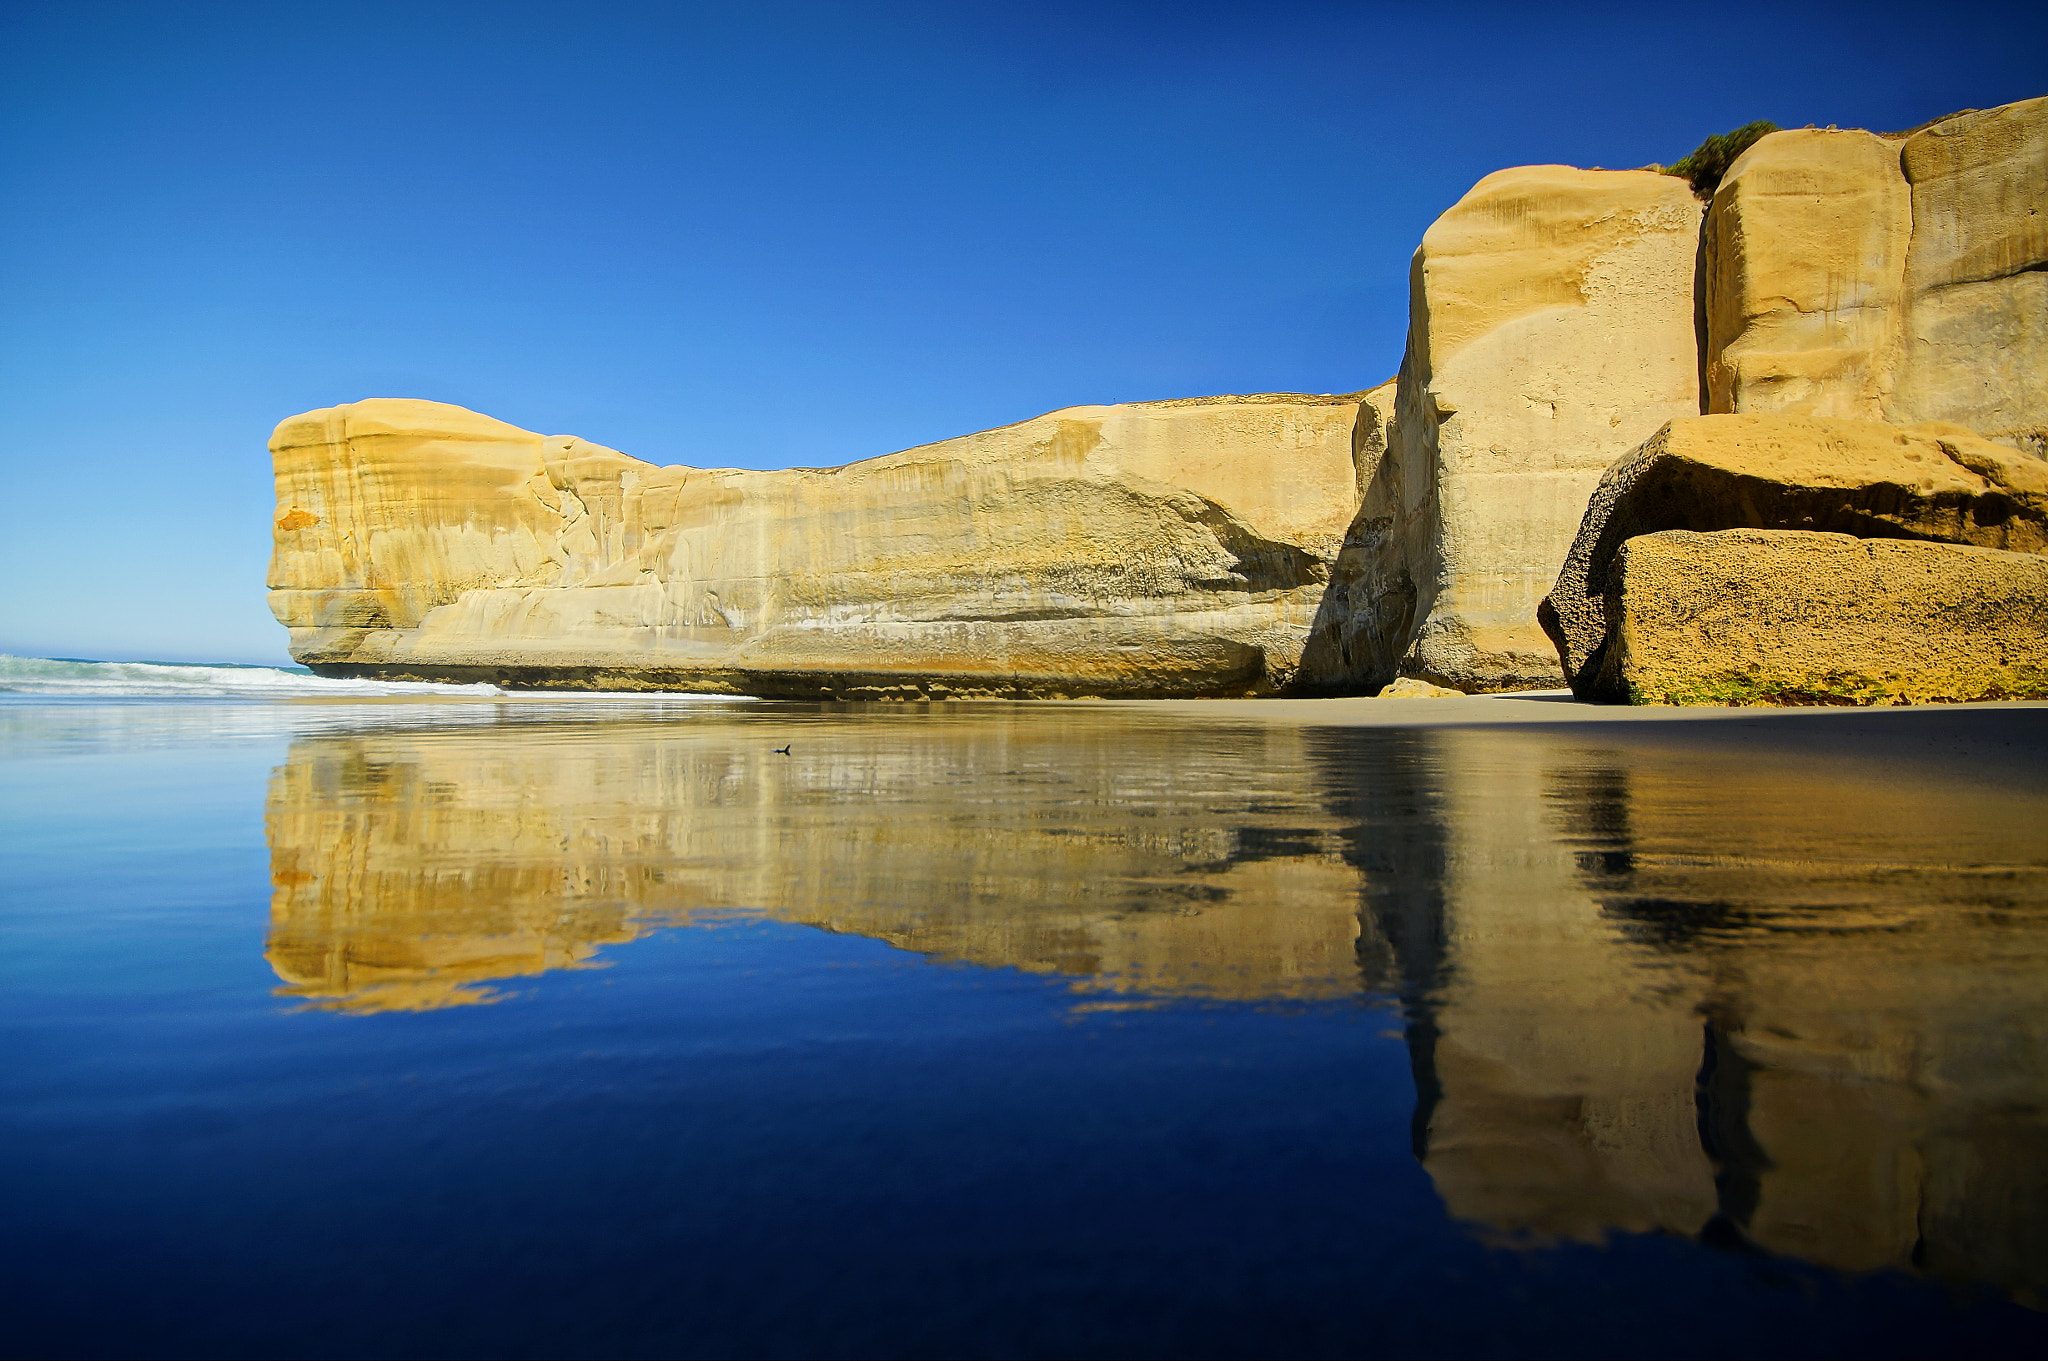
(1752, 994)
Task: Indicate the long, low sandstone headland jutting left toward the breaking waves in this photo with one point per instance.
(1175, 547)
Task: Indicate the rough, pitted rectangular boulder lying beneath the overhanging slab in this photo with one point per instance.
(1789, 617)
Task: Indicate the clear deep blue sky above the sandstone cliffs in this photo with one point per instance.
(769, 234)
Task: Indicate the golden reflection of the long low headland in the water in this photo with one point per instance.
(417, 867)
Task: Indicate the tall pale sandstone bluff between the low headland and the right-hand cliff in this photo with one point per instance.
(1551, 331)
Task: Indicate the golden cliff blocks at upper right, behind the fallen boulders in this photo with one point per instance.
(1883, 279)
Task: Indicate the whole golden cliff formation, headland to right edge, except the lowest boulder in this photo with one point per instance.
(1275, 543)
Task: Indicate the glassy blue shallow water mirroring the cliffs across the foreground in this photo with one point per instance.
(601, 1028)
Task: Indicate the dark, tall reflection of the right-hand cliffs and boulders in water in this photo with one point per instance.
(1789, 1002)
